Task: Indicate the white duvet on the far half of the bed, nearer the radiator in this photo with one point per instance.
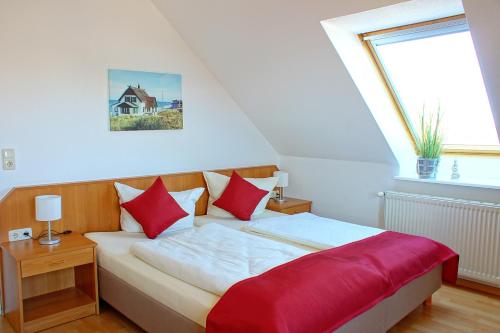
(311, 230)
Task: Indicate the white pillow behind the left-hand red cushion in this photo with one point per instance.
(185, 199)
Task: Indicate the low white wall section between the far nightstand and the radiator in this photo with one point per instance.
(343, 190)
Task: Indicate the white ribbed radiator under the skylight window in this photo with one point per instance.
(470, 228)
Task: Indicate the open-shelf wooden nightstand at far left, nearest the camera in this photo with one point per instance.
(47, 285)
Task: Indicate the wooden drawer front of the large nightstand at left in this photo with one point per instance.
(56, 262)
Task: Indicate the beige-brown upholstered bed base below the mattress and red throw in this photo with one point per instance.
(154, 317)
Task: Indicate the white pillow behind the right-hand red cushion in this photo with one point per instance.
(217, 183)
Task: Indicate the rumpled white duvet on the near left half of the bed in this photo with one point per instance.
(214, 257)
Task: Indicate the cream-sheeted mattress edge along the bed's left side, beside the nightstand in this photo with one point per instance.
(113, 255)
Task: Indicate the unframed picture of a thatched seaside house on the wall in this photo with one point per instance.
(142, 101)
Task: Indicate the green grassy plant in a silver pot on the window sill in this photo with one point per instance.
(429, 144)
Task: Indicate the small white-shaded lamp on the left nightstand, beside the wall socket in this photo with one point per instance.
(48, 209)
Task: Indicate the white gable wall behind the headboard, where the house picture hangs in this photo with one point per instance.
(53, 93)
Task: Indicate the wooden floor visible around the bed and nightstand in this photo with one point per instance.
(453, 309)
